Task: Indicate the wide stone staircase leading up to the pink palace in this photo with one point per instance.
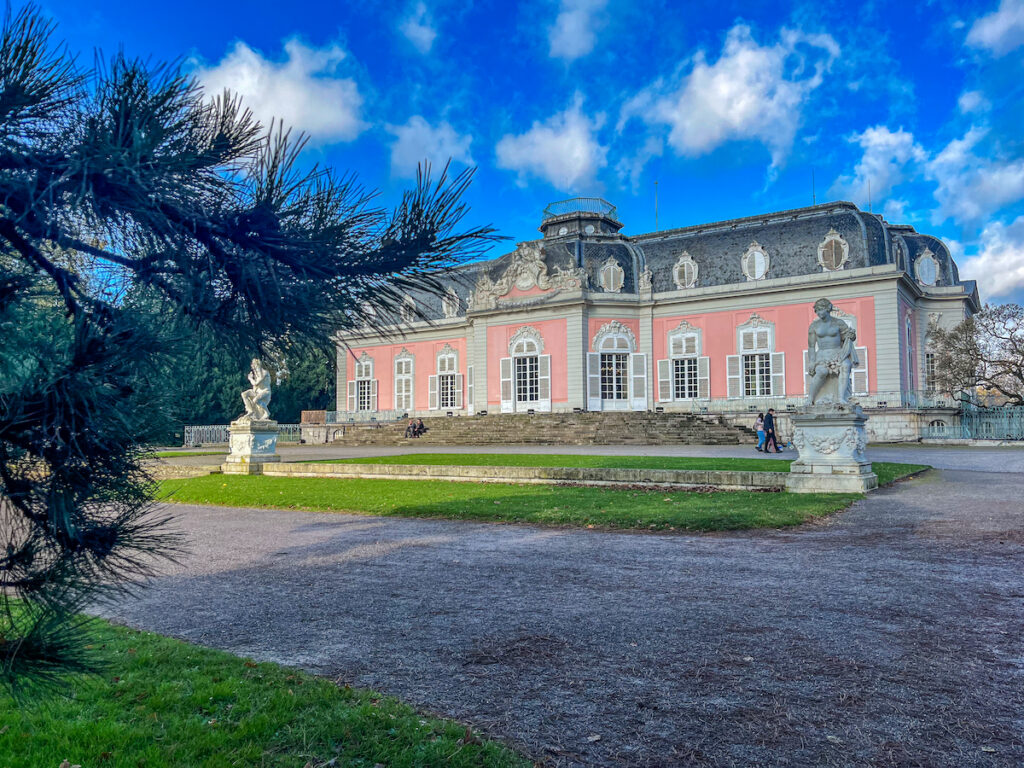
(554, 430)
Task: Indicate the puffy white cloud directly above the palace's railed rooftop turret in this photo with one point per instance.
(565, 150)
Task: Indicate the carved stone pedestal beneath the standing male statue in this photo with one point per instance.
(832, 442)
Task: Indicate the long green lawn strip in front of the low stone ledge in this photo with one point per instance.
(552, 505)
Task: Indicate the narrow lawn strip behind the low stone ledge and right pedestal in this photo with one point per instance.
(887, 473)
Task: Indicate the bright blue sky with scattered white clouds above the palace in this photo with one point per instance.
(732, 107)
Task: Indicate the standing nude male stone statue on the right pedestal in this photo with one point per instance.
(832, 356)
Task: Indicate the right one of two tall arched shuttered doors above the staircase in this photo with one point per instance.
(617, 375)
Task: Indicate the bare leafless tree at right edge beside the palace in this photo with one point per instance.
(987, 351)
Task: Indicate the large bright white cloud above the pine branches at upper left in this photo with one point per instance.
(306, 91)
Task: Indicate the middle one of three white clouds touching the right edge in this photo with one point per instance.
(970, 187)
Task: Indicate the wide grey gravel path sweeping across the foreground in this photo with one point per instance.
(890, 635)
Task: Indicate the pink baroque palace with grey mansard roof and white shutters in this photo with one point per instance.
(711, 319)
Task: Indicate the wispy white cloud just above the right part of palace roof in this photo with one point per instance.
(882, 166)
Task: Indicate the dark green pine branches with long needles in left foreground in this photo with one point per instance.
(134, 175)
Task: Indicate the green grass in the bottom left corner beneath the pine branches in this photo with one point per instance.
(169, 704)
